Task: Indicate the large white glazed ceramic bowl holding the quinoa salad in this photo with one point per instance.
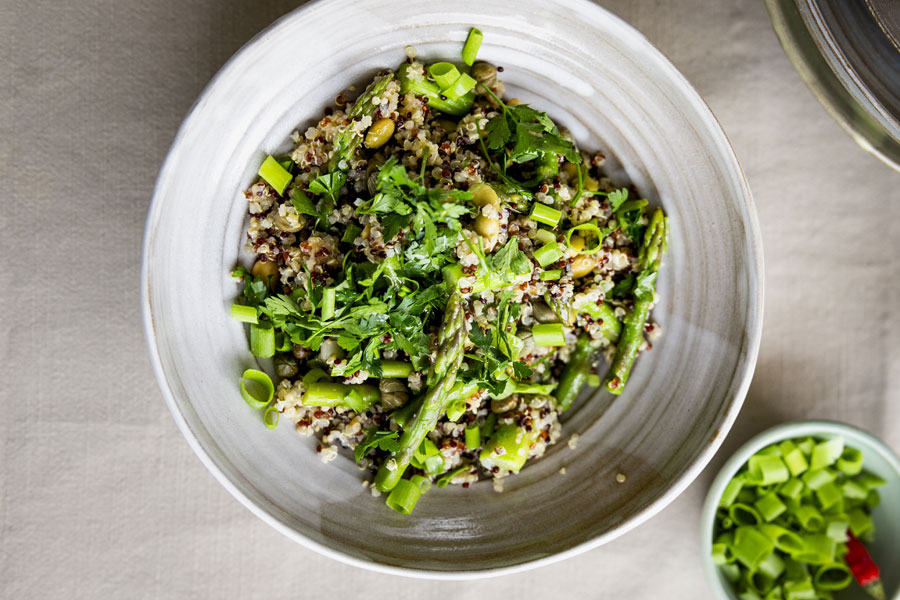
(607, 84)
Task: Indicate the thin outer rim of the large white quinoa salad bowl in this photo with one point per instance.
(742, 376)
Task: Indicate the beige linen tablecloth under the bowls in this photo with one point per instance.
(101, 496)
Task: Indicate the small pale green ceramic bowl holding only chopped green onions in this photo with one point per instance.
(877, 458)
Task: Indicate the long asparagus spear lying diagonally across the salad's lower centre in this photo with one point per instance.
(441, 377)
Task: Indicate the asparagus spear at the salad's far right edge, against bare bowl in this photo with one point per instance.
(649, 256)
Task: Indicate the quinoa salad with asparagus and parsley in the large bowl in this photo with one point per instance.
(439, 271)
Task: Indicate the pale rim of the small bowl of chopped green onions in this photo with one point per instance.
(769, 436)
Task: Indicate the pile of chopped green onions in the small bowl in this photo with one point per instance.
(782, 521)
